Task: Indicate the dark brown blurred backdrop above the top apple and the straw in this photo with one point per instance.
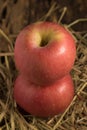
(15, 14)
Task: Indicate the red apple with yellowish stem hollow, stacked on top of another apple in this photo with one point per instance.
(44, 64)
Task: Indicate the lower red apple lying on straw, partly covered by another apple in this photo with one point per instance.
(44, 101)
